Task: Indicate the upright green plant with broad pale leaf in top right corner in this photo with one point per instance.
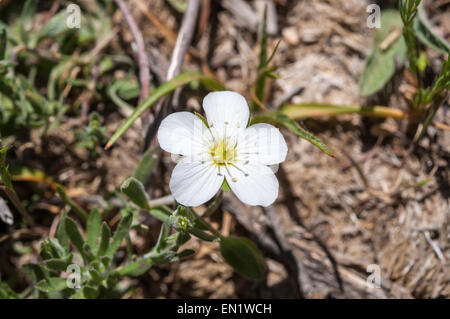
(381, 64)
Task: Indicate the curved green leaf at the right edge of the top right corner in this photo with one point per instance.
(424, 31)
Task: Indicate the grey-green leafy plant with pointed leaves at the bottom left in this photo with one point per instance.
(97, 273)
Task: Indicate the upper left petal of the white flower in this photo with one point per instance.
(183, 133)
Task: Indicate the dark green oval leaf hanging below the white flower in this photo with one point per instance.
(244, 256)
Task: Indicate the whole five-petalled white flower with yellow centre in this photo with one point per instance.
(226, 149)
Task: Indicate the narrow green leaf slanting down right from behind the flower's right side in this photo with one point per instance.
(284, 120)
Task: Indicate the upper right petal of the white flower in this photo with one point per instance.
(262, 143)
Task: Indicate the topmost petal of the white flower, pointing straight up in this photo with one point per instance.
(226, 110)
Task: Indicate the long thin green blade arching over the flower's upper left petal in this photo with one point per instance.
(162, 90)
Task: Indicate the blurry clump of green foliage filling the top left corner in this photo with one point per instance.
(40, 96)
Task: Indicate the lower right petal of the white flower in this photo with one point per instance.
(258, 187)
